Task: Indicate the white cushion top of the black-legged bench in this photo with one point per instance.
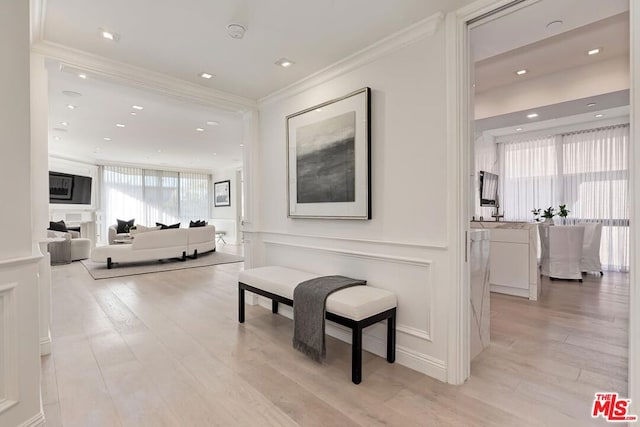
(356, 302)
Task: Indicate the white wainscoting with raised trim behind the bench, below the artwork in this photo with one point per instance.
(410, 270)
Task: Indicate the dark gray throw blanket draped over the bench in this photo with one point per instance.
(309, 307)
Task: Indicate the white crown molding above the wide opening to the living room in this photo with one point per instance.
(131, 75)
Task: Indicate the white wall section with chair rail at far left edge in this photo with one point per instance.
(19, 316)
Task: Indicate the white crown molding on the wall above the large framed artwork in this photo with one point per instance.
(390, 44)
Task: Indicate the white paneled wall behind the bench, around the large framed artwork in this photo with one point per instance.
(403, 247)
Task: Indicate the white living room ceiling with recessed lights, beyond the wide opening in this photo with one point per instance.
(162, 134)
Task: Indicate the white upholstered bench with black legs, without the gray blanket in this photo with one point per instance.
(355, 307)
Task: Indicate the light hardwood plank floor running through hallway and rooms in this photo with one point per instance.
(166, 349)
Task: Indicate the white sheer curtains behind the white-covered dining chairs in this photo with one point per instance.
(587, 170)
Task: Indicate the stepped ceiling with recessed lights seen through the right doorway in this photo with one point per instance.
(521, 39)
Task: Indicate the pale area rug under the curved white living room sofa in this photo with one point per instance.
(99, 270)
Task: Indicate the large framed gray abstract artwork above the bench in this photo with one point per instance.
(329, 159)
